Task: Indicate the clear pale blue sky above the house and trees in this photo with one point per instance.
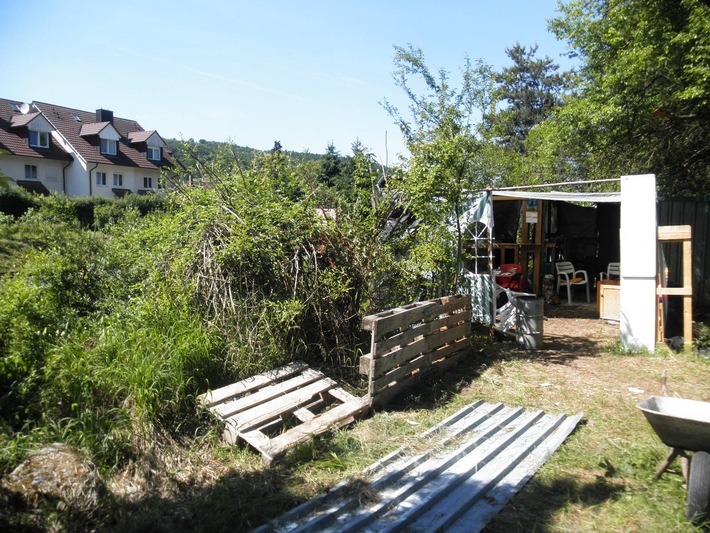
(303, 73)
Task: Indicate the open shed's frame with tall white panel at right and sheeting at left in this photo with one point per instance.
(637, 235)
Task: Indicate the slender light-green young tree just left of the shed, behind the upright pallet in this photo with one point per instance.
(440, 131)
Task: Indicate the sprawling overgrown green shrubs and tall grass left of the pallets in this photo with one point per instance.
(114, 326)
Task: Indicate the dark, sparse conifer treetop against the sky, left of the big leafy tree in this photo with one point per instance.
(527, 92)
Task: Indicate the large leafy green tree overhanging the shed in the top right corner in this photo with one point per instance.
(641, 104)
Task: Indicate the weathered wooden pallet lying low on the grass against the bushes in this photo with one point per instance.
(282, 408)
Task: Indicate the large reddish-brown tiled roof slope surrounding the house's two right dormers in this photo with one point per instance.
(63, 120)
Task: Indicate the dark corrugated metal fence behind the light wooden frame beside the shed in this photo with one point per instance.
(697, 215)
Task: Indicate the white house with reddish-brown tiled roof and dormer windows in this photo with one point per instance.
(46, 147)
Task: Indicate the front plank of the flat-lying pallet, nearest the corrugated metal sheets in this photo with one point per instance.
(337, 417)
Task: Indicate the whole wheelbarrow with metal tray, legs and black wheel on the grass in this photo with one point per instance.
(684, 425)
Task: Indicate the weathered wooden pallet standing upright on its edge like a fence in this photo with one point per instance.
(409, 342)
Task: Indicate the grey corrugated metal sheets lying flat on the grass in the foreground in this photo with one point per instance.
(478, 459)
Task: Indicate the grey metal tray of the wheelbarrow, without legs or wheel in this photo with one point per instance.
(678, 422)
